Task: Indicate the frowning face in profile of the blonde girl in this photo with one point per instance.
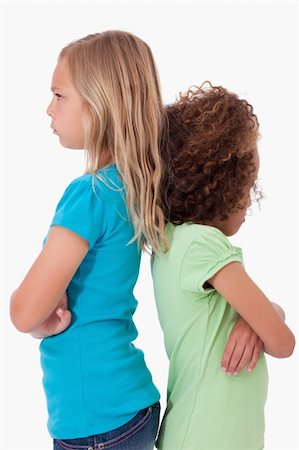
(66, 109)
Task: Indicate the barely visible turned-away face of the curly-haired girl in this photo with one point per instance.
(236, 219)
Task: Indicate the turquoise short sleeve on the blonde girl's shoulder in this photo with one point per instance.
(82, 210)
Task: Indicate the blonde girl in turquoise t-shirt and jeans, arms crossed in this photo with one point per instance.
(78, 294)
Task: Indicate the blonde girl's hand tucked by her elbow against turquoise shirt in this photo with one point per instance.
(57, 322)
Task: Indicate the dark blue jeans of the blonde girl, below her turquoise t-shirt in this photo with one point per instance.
(138, 434)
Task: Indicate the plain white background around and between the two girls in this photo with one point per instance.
(248, 47)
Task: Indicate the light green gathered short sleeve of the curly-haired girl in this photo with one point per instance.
(208, 252)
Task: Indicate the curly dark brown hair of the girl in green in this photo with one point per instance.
(210, 156)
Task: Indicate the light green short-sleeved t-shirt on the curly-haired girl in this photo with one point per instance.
(206, 409)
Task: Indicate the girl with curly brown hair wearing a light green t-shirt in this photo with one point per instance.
(201, 286)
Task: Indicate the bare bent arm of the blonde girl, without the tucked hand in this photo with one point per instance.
(43, 288)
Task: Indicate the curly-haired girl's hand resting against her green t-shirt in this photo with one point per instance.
(243, 348)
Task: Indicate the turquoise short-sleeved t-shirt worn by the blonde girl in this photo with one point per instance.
(95, 379)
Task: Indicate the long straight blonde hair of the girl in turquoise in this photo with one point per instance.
(115, 74)
